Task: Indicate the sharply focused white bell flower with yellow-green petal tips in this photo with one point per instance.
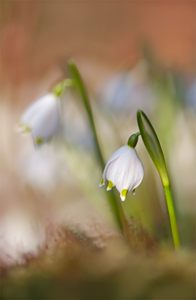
(123, 170)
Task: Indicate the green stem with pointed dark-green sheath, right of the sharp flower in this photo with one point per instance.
(155, 151)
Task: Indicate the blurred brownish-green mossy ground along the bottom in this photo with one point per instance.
(104, 274)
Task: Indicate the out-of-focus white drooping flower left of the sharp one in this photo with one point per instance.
(42, 118)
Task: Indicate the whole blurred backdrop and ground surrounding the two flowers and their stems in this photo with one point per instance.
(132, 55)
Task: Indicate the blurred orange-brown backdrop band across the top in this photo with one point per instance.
(37, 36)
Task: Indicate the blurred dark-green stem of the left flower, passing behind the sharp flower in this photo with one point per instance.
(115, 204)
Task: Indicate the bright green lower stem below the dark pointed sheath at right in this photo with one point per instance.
(172, 216)
